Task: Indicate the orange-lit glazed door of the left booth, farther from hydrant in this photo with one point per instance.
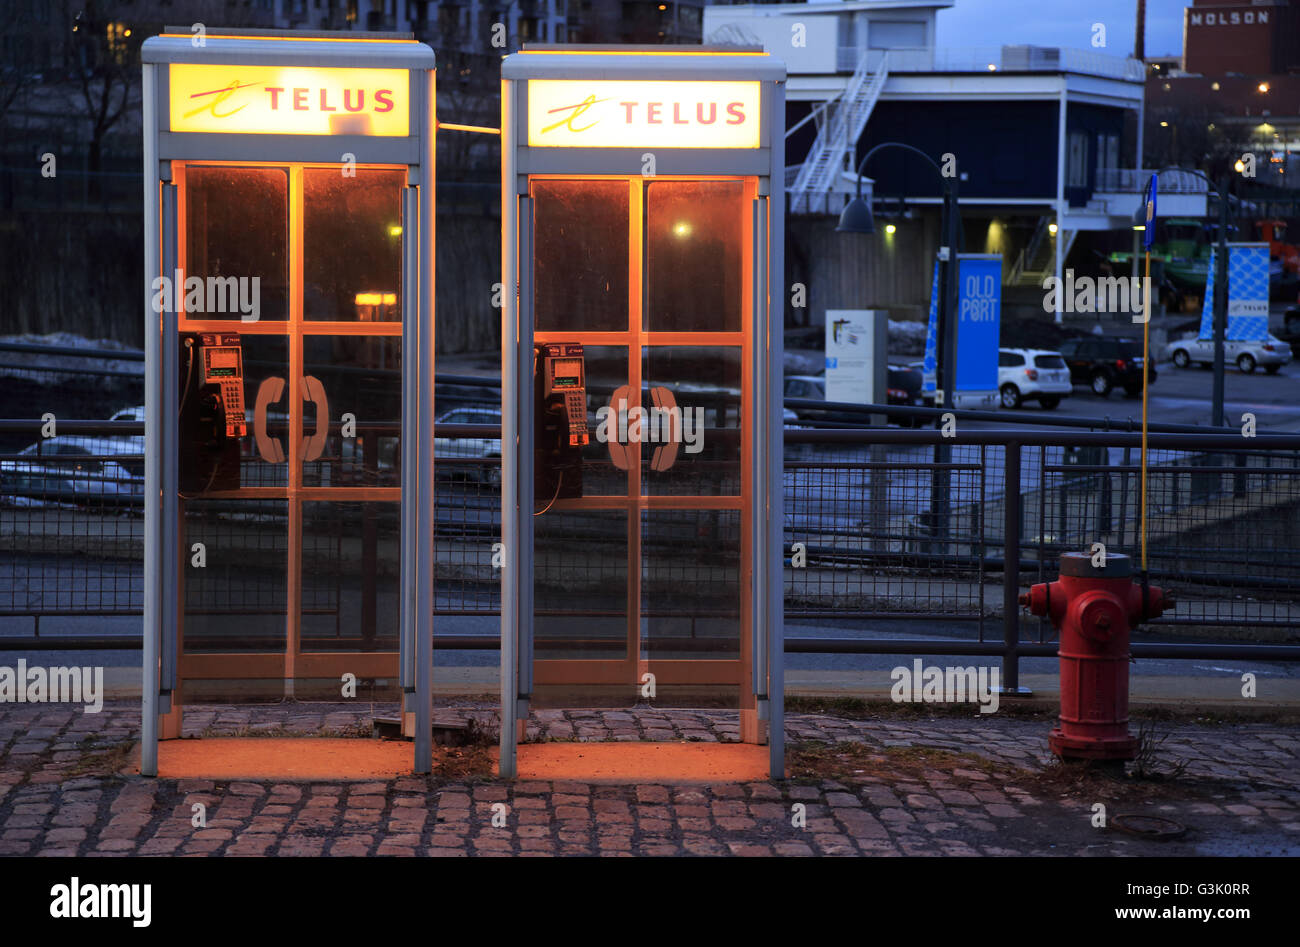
(301, 573)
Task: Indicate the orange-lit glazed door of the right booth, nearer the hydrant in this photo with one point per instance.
(642, 586)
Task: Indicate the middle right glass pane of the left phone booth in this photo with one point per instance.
(359, 377)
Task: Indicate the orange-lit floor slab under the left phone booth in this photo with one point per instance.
(288, 759)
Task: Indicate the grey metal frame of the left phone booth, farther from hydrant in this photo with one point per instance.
(167, 154)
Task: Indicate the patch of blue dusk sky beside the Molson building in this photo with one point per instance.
(1063, 23)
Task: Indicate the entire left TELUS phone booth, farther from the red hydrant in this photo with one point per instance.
(289, 193)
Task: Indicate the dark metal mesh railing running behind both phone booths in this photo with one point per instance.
(895, 525)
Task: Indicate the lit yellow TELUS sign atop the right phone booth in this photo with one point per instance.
(626, 114)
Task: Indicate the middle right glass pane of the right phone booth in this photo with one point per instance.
(692, 418)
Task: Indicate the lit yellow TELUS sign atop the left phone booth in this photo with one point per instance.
(289, 101)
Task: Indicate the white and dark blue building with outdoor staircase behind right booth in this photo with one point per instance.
(1047, 140)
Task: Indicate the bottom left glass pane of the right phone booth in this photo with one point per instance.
(580, 586)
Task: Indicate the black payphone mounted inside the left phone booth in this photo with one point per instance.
(213, 413)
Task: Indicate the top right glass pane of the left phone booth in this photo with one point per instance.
(353, 245)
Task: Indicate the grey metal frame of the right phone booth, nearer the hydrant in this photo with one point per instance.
(759, 669)
